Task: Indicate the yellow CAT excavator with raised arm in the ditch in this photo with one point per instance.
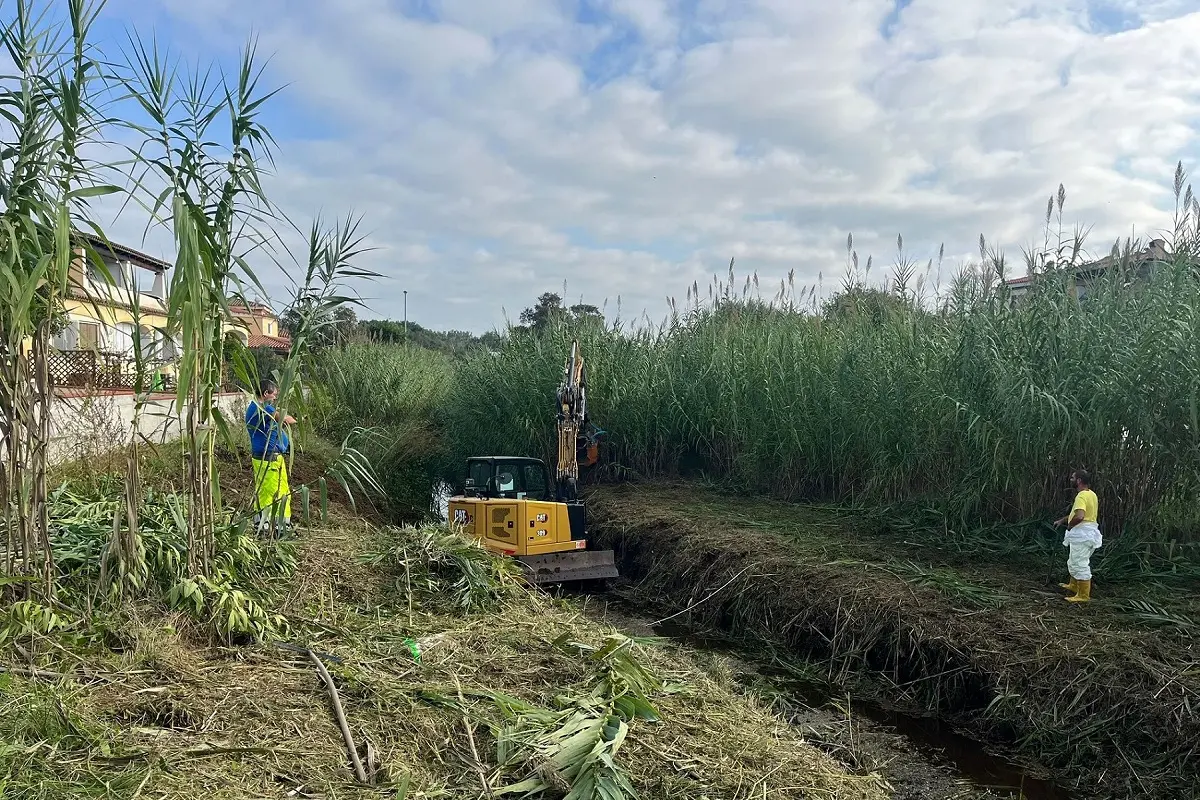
(511, 504)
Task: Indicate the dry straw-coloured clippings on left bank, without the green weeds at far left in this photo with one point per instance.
(454, 695)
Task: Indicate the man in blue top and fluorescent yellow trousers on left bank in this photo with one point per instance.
(268, 447)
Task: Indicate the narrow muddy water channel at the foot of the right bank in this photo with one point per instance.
(921, 757)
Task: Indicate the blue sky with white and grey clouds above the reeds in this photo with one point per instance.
(629, 148)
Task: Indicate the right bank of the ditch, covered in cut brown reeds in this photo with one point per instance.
(1091, 691)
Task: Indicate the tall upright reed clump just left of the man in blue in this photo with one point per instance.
(203, 145)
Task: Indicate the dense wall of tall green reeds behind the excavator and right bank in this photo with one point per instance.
(956, 399)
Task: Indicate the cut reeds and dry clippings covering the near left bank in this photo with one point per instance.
(411, 648)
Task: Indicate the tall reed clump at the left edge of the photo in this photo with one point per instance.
(51, 118)
